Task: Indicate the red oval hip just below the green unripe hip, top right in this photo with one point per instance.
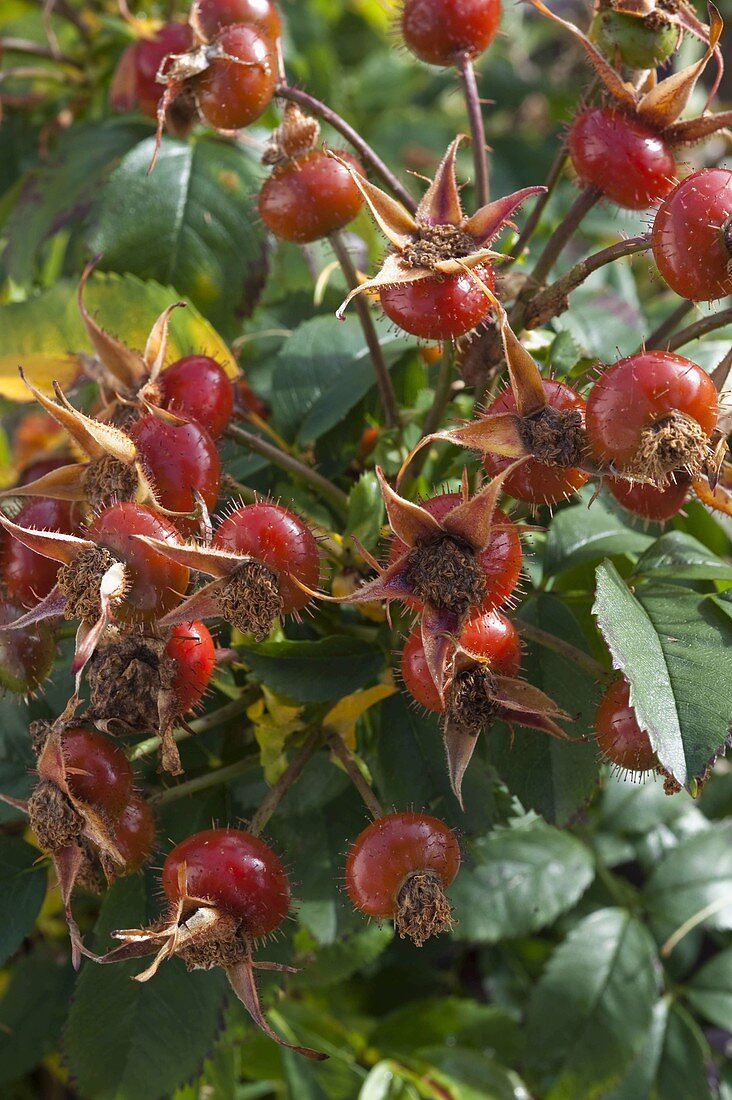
(631, 164)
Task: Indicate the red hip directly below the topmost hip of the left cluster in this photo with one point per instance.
(179, 458)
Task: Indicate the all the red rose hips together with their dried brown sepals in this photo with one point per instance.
(112, 542)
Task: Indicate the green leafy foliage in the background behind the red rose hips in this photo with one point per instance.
(560, 981)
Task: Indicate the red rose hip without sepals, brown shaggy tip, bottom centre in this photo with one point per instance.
(399, 867)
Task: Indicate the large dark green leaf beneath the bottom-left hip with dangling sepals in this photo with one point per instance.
(139, 1040)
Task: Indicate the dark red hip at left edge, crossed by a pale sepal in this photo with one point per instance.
(29, 577)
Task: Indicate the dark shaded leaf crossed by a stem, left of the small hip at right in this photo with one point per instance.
(554, 778)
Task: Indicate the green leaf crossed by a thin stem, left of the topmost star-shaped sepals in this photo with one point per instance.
(322, 371)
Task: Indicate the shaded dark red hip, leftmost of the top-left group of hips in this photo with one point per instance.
(135, 83)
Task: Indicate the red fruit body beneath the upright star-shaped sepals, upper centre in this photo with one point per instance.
(439, 309)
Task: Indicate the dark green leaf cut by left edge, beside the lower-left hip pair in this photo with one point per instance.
(23, 890)
